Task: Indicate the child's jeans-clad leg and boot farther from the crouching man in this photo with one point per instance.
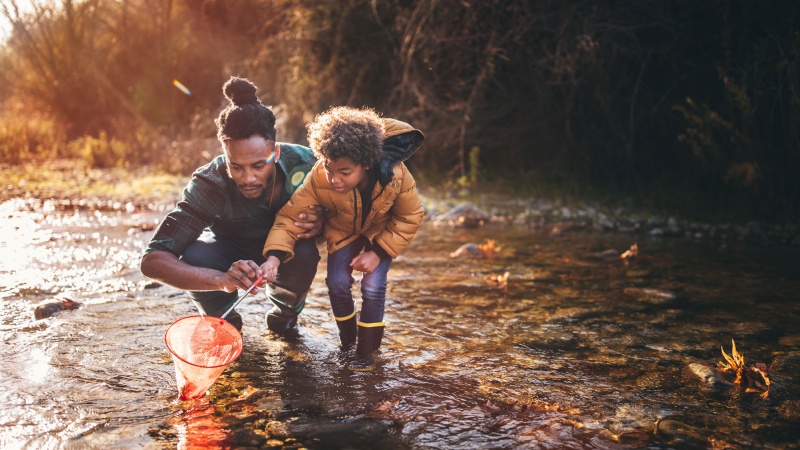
(371, 325)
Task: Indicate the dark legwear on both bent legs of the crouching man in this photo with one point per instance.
(288, 292)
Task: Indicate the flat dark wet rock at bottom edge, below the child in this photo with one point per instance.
(340, 433)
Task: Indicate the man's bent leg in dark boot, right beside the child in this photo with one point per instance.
(288, 292)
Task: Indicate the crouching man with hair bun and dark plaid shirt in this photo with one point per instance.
(210, 244)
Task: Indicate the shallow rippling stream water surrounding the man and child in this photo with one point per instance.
(575, 349)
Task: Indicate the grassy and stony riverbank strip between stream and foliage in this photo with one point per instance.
(71, 184)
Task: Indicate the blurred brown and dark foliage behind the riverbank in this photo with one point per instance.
(691, 106)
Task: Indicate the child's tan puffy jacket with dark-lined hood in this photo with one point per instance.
(393, 219)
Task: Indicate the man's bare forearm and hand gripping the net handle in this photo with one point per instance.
(167, 268)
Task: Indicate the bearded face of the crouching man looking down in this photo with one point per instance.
(251, 163)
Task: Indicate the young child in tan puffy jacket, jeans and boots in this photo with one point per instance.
(372, 212)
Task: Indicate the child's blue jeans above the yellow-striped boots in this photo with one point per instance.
(340, 281)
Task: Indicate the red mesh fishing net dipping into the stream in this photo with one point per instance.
(202, 347)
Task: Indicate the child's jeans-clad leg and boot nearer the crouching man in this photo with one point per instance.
(340, 282)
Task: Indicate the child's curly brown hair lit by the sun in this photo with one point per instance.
(348, 132)
